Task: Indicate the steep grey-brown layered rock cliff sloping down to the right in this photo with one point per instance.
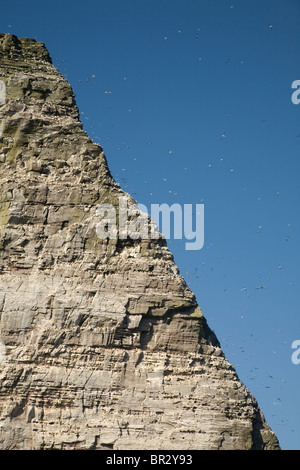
(105, 345)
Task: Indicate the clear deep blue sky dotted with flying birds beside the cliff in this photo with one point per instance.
(158, 76)
